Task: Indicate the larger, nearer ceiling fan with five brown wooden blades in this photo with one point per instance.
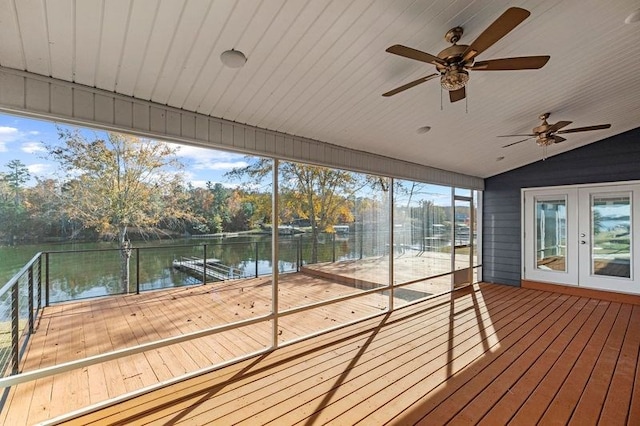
(452, 63)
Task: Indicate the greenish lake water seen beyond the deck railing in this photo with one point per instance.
(82, 270)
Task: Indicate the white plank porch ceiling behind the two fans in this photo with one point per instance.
(317, 68)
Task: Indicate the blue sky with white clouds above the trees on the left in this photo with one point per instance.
(22, 139)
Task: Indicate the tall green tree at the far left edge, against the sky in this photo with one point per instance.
(12, 208)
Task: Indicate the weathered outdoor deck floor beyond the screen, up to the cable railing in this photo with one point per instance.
(76, 330)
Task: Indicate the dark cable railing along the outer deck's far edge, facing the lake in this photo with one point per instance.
(82, 274)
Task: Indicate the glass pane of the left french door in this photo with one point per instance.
(551, 234)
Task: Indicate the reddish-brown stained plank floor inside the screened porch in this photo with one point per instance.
(485, 354)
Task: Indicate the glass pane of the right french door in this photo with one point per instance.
(611, 235)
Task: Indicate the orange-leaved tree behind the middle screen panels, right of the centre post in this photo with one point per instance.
(318, 194)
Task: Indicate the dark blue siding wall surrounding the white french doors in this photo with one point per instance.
(610, 160)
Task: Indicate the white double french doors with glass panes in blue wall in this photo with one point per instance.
(587, 236)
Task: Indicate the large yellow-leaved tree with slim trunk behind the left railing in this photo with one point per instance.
(118, 183)
